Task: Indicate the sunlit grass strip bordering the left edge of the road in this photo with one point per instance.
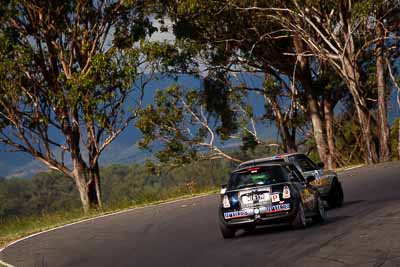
(16, 228)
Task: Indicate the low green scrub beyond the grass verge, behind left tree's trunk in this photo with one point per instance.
(123, 185)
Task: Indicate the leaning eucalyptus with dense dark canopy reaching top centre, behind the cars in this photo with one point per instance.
(233, 40)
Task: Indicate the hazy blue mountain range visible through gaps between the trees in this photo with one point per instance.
(124, 150)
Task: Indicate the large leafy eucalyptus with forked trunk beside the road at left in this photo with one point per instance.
(72, 77)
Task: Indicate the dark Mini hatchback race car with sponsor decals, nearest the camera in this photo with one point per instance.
(267, 194)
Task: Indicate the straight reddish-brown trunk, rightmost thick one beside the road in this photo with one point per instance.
(383, 127)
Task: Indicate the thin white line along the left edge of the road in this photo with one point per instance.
(98, 217)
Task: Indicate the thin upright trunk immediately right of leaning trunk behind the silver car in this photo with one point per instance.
(329, 119)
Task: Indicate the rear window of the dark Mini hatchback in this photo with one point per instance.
(256, 176)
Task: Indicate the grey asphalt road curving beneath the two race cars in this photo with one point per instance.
(364, 232)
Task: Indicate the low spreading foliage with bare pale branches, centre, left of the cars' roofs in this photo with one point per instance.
(183, 122)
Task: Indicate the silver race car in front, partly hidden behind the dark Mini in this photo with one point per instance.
(326, 181)
